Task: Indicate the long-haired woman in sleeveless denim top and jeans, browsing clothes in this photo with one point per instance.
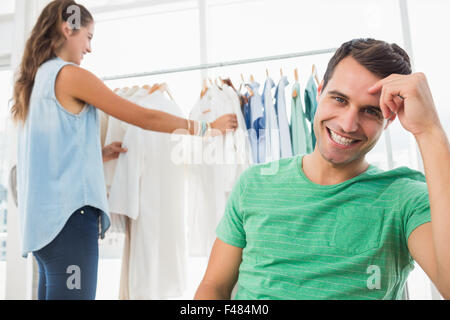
(62, 197)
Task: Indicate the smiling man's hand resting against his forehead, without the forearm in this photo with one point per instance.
(408, 97)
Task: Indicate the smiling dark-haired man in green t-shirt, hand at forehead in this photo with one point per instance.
(329, 225)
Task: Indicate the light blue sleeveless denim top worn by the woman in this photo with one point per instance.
(60, 167)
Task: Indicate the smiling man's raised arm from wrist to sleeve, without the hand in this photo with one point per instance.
(428, 244)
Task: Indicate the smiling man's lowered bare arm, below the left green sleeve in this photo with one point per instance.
(221, 274)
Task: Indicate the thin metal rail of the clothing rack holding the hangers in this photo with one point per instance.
(220, 64)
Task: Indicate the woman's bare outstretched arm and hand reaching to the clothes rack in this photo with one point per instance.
(81, 84)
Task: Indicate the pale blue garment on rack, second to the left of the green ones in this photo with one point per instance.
(271, 120)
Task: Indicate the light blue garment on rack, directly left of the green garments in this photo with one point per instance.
(283, 122)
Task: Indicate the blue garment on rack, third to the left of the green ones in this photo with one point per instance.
(257, 131)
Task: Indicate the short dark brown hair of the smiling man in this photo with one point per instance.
(379, 57)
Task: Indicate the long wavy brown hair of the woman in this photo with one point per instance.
(45, 41)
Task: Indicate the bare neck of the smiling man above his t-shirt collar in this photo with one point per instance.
(323, 172)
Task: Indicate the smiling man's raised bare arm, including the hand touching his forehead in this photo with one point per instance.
(409, 98)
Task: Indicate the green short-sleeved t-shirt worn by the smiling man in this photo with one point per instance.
(302, 240)
